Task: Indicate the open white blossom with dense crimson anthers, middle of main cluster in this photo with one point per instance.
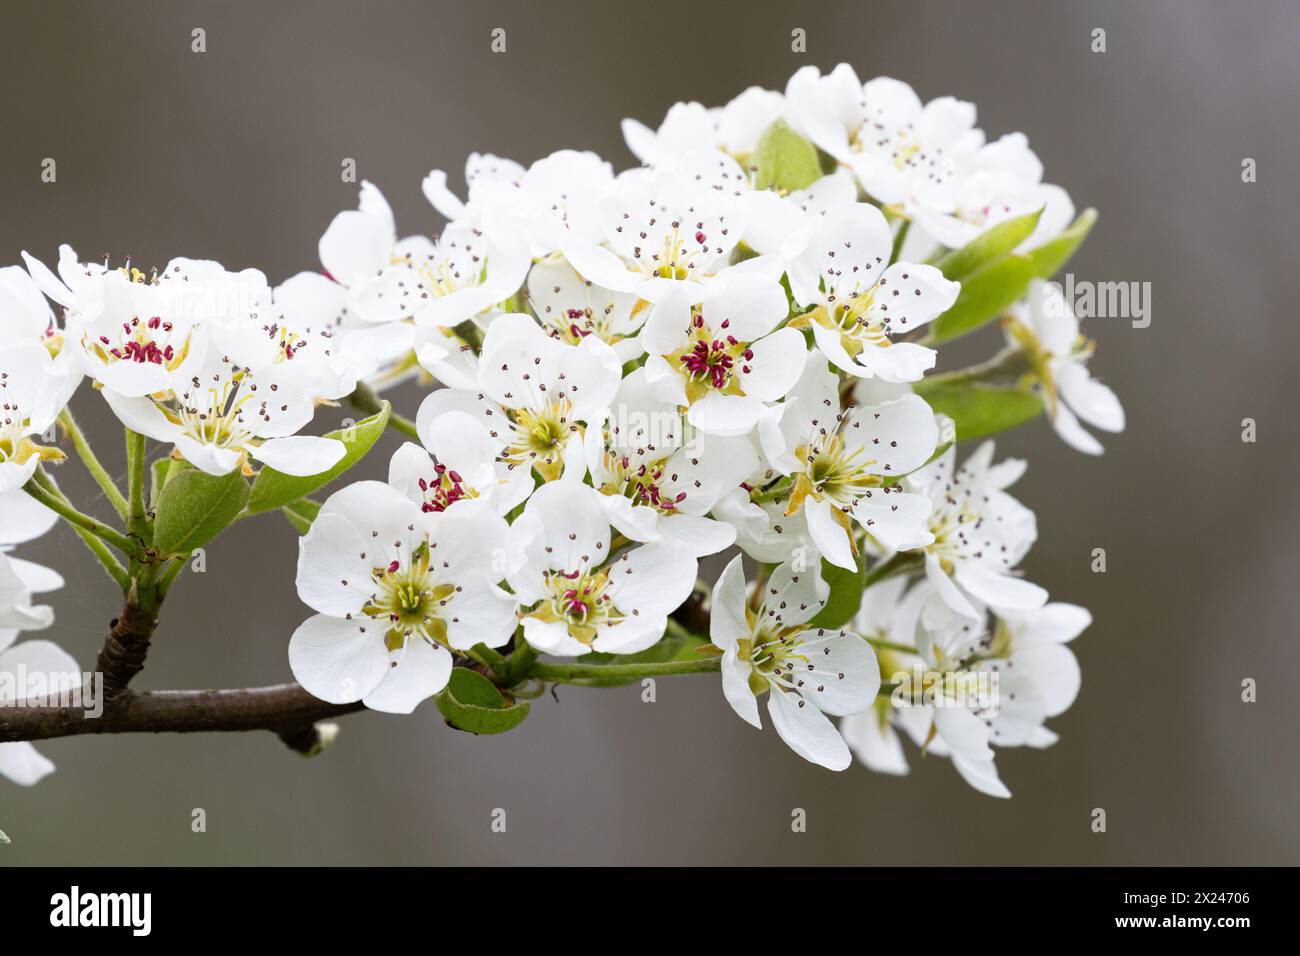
(725, 358)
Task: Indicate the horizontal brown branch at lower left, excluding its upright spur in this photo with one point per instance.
(285, 710)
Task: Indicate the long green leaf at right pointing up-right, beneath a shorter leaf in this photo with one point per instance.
(993, 291)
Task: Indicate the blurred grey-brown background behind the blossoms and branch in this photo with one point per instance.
(235, 155)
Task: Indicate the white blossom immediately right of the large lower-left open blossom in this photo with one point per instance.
(575, 595)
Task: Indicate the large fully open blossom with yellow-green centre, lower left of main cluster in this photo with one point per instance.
(396, 590)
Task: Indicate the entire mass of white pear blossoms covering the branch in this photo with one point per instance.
(722, 348)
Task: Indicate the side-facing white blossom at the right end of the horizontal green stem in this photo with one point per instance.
(807, 672)
